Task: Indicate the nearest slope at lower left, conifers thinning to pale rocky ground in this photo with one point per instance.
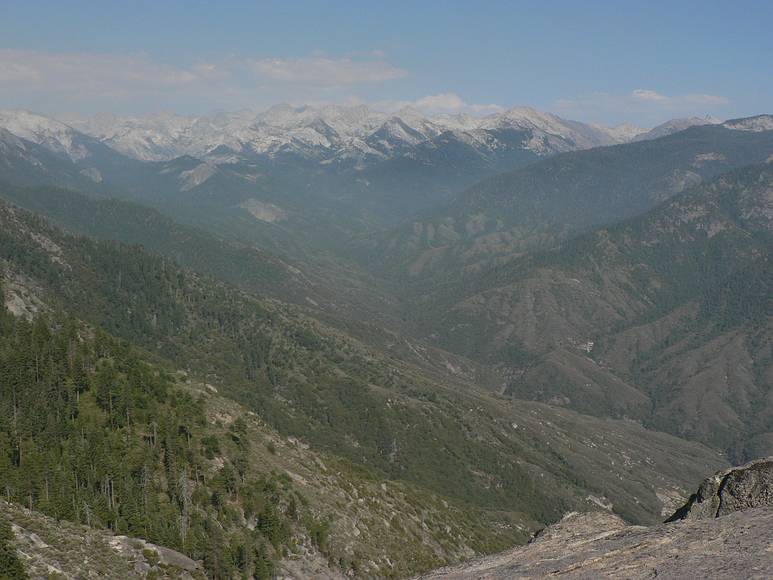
(91, 431)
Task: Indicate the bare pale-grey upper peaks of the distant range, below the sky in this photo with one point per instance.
(335, 134)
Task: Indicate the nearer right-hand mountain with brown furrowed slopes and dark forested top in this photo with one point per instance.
(665, 317)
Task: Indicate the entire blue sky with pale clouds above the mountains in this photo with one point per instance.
(610, 62)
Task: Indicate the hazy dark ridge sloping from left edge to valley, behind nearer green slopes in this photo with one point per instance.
(308, 279)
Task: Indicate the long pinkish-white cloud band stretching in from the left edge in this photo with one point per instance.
(73, 78)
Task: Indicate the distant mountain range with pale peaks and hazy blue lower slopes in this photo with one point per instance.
(362, 166)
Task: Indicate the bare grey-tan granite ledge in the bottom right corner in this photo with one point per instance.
(724, 531)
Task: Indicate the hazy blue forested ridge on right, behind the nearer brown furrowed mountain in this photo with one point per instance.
(549, 201)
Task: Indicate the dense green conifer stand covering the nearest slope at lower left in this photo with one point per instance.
(91, 433)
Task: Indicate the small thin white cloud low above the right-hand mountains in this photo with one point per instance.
(645, 104)
